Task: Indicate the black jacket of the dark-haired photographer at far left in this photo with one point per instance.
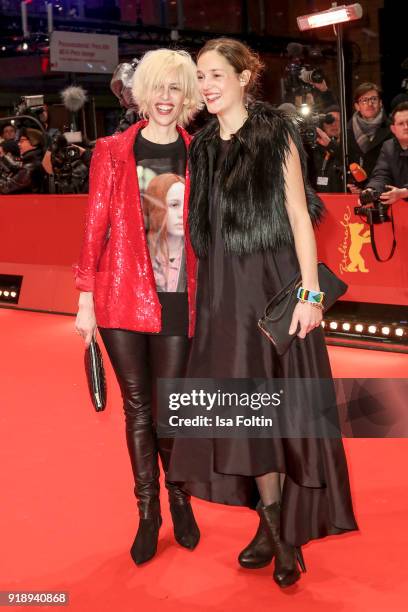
(29, 178)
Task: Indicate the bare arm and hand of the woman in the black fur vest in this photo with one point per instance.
(306, 314)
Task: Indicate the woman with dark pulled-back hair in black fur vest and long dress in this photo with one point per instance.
(251, 225)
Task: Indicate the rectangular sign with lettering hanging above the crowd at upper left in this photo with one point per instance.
(77, 52)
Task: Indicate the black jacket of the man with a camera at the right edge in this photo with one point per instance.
(391, 167)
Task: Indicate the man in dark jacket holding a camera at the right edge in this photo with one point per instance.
(390, 175)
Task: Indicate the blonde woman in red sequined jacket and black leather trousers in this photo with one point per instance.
(145, 323)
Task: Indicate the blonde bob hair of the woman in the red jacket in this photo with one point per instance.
(150, 75)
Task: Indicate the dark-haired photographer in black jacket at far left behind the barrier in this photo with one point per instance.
(29, 178)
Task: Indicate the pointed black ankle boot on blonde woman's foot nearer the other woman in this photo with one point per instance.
(186, 530)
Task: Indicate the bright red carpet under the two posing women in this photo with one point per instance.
(68, 512)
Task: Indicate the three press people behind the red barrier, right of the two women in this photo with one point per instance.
(378, 144)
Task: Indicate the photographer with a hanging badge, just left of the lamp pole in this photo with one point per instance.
(325, 157)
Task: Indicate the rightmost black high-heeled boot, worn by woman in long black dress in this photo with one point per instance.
(287, 557)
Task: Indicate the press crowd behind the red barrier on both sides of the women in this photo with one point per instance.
(31, 159)
